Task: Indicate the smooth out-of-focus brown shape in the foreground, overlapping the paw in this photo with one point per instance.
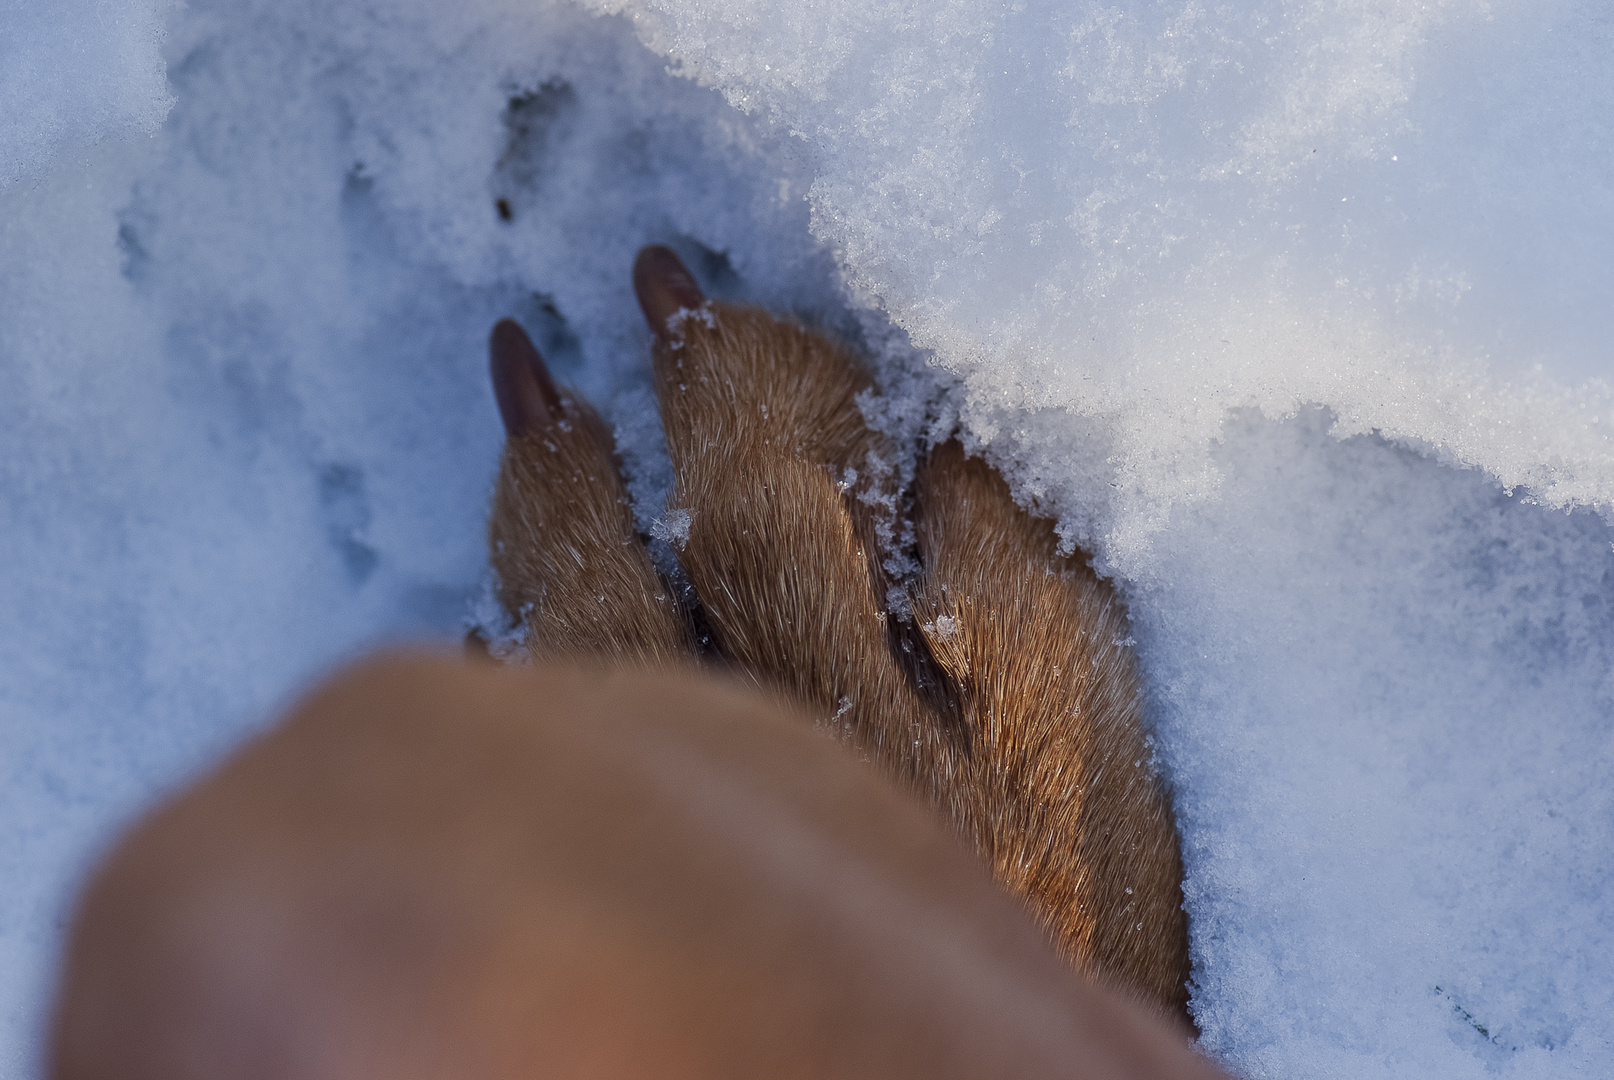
(448, 871)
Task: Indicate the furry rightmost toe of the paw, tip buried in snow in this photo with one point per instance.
(1058, 792)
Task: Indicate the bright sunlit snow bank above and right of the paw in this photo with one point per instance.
(1152, 214)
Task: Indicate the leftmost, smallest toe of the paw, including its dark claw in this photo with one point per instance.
(561, 540)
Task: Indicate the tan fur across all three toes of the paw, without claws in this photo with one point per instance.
(1043, 766)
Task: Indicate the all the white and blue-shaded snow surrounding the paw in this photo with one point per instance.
(1297, 314)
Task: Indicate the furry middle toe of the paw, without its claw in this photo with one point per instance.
(763, 429)
